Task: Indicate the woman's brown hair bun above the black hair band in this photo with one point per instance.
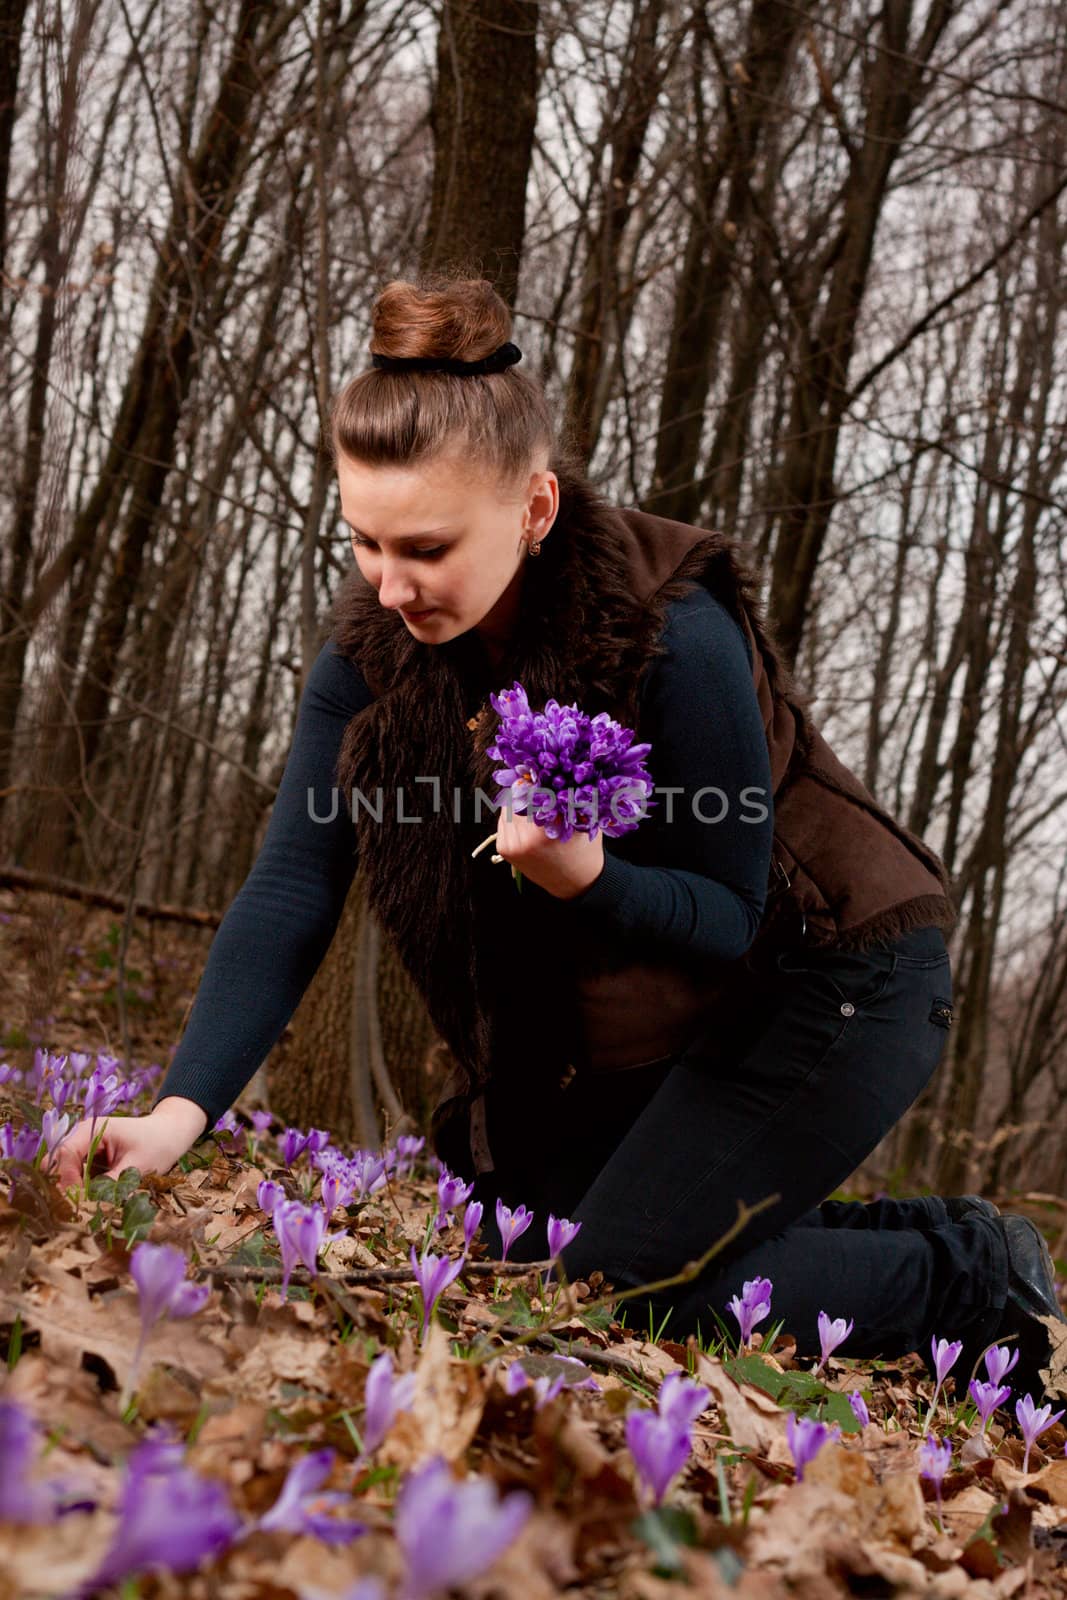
(439, 318)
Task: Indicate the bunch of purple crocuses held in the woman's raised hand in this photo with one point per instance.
(569, 772)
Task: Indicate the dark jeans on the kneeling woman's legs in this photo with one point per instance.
(788, 1103)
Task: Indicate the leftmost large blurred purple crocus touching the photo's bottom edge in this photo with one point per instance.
(169, 1518)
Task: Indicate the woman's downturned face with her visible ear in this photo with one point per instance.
(441, 540)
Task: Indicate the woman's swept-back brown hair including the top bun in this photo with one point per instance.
(500, 422)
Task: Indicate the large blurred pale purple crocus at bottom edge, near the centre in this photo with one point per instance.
(452, 1530)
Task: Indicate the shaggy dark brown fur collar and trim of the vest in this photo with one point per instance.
(593, 609)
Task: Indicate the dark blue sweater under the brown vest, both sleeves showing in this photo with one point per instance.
(700, 898)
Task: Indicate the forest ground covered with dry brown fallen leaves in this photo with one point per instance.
(254, 1382)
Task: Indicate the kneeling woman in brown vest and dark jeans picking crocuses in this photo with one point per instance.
(733, 1002)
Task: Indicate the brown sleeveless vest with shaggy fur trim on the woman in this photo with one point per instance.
(593, 612)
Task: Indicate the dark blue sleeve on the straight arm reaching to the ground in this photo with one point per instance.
(279, 927)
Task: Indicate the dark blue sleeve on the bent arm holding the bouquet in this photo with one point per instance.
(703, 897)
